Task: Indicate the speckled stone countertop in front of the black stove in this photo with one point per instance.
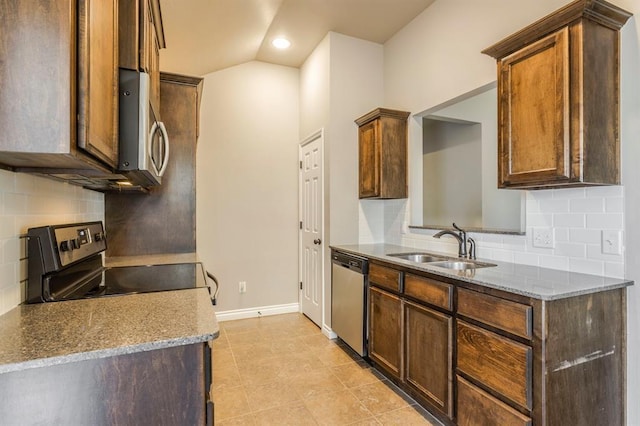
(54, 333)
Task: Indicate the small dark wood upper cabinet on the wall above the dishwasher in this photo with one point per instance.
(382, 142)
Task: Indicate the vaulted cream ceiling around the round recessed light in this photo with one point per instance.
(208, 35)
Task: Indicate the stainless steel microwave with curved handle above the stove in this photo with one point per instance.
(143, 140)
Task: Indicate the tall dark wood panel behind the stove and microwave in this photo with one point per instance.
(137, 224)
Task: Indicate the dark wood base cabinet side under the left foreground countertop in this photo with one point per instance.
(164, 386)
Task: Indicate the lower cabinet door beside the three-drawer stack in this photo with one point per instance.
(429, 354)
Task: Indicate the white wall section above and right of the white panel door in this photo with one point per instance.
(340, 81)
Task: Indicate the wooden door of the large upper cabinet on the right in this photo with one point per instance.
(534, 142)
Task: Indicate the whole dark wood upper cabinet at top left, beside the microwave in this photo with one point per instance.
(59, 97)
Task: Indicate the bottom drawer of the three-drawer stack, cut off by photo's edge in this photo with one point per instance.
(476, 407)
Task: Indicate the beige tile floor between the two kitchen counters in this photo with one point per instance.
(281, 370)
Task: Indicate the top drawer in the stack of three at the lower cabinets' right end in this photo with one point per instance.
(504, 314)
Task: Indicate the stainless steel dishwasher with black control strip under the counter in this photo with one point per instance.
(349, 299)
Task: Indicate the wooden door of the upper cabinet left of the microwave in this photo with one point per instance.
(97, 94)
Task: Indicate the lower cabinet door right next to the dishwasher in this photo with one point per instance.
(385, 316)
